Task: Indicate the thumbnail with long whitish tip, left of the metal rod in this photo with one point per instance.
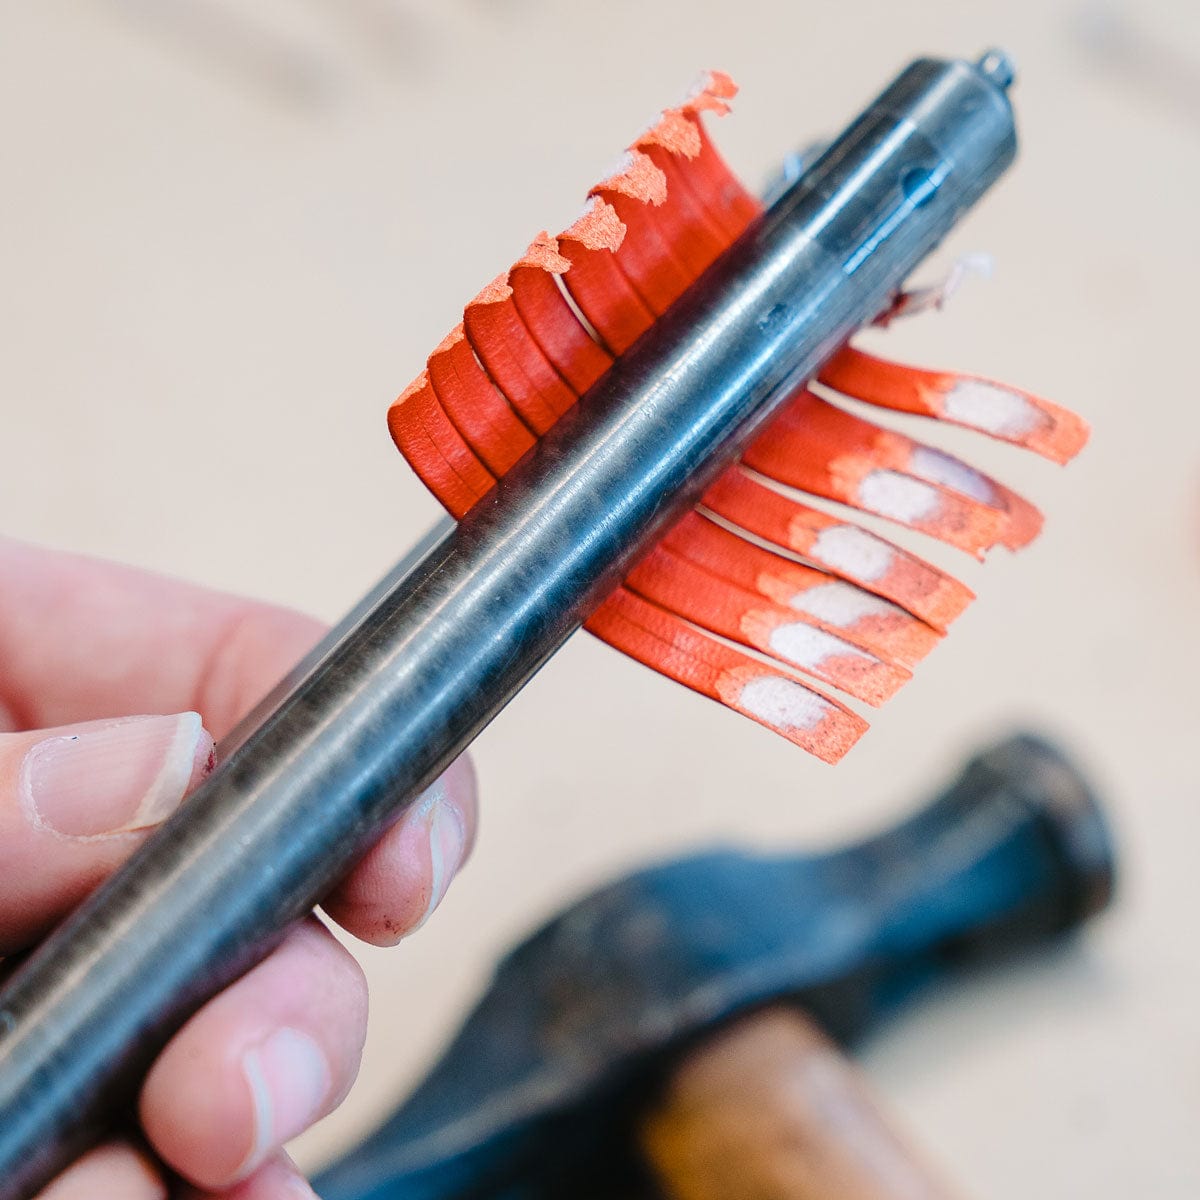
(129, 775)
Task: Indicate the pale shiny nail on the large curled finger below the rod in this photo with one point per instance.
(290, 1082)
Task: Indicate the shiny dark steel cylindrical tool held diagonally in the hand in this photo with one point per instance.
(440, 647)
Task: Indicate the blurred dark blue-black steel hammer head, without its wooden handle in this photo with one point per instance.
(536, 1095)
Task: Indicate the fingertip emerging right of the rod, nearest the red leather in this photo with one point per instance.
(399, 884)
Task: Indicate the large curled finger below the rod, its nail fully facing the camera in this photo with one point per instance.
(257, 1066)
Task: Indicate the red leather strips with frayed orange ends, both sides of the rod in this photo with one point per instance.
(755, 596)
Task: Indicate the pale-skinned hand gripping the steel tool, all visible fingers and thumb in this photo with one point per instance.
(83, 643)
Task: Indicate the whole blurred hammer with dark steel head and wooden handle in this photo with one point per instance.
(677, 1033)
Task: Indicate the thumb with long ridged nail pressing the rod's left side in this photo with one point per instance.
(76, 801)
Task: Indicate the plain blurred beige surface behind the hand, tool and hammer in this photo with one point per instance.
(230, 235)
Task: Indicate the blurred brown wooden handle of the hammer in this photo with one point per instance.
(770, 1109)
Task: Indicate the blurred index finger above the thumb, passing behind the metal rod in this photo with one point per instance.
(82, 639)
